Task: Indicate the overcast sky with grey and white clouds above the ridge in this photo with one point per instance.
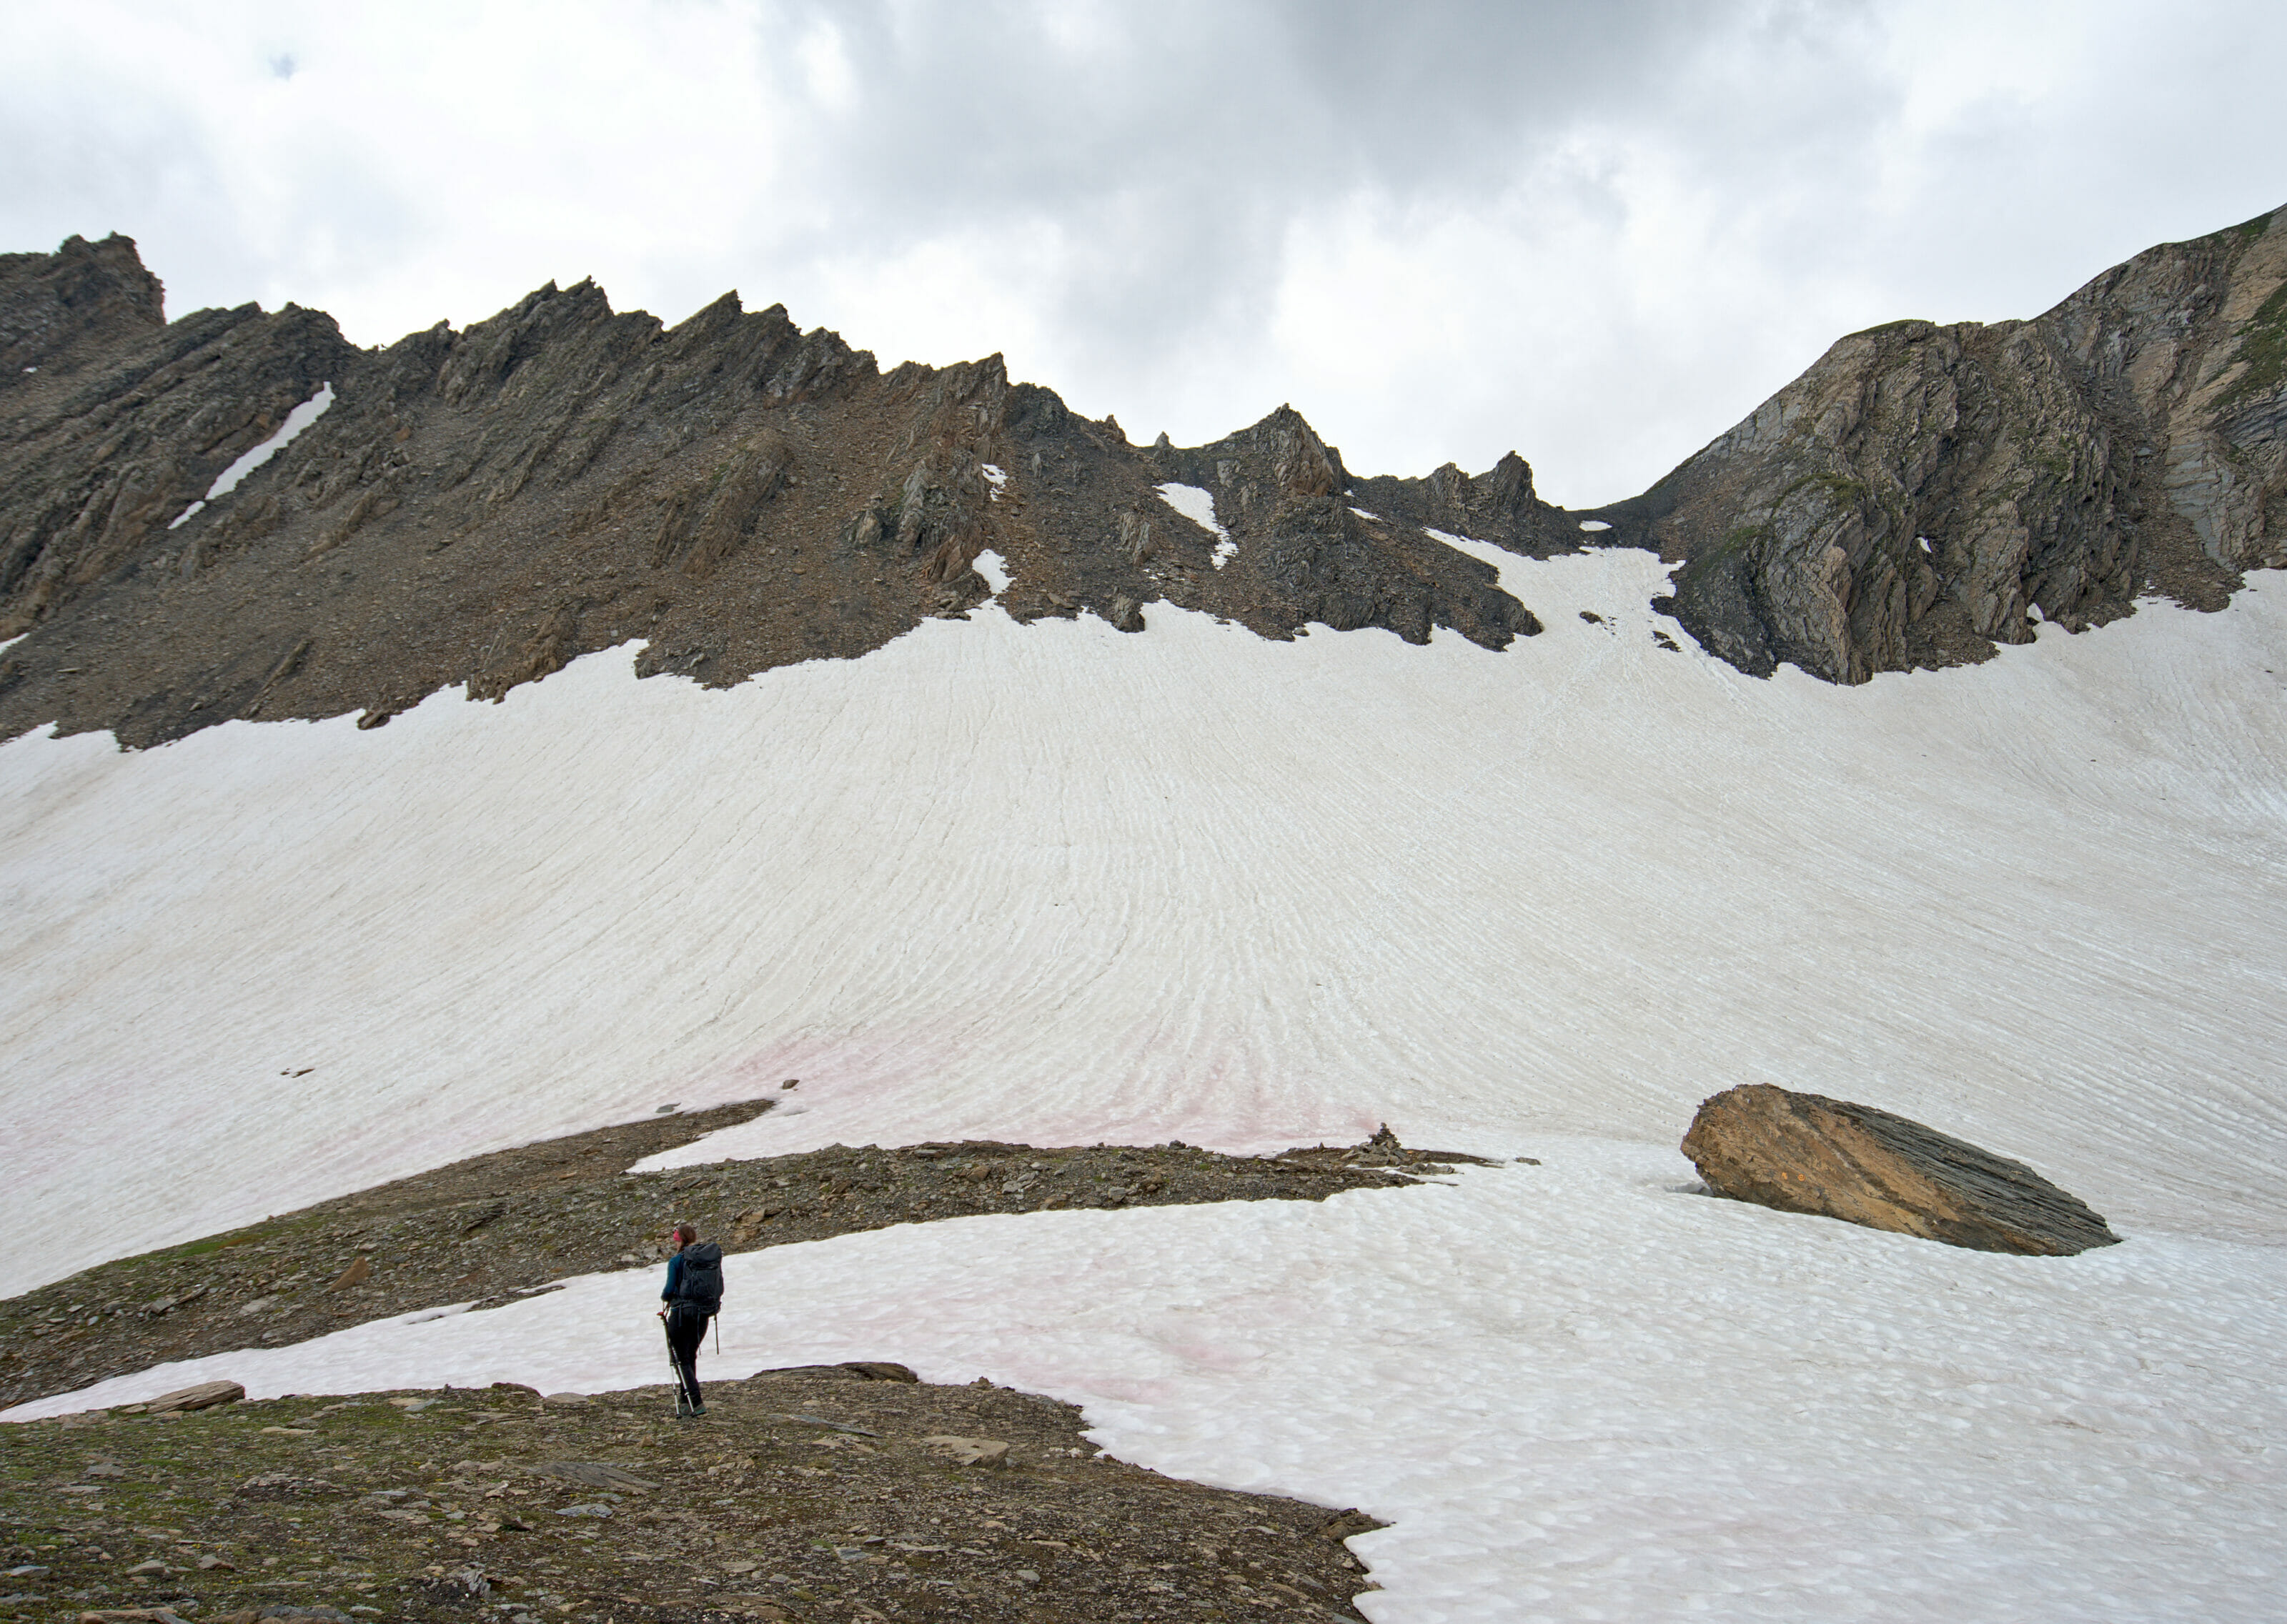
(1593, 232)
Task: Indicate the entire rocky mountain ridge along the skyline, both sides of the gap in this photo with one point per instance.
(484, 507)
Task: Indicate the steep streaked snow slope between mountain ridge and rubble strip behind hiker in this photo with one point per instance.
(1060, 884)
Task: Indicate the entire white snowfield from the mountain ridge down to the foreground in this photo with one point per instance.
(1060, 884)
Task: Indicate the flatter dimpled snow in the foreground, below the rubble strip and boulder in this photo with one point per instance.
(1707, 1387)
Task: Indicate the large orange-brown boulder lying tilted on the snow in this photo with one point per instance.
(1810, 1154)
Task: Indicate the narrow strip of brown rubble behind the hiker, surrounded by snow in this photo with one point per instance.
(502, 1227)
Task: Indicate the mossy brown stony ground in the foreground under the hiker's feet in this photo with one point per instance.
(802, 1495)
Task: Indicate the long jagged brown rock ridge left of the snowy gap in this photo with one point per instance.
(486, 507)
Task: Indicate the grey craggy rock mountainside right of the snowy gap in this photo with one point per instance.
(1925, 493)
